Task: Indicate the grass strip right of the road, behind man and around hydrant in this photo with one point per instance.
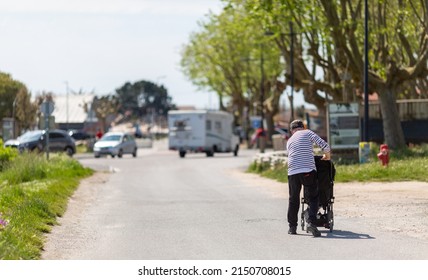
(407, 165)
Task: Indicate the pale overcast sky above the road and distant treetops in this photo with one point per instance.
(98, 45)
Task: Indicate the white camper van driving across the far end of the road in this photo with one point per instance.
(202, 131)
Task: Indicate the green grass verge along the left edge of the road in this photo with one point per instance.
(33, 193)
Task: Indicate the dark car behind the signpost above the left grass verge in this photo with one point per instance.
(59, 141)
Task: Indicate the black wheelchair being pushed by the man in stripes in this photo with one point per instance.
(326, 173)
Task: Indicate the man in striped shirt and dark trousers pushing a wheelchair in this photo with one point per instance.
(302, 171)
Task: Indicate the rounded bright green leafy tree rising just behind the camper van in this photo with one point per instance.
(229, 56)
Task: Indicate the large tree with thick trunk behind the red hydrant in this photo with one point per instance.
(398, 53)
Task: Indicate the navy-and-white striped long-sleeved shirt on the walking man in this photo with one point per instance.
(300, 151)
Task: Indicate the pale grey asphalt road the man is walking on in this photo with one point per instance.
(162, 207)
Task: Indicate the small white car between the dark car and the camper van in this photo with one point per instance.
(115, 144)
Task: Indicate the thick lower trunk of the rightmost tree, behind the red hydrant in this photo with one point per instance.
(392, 130)
